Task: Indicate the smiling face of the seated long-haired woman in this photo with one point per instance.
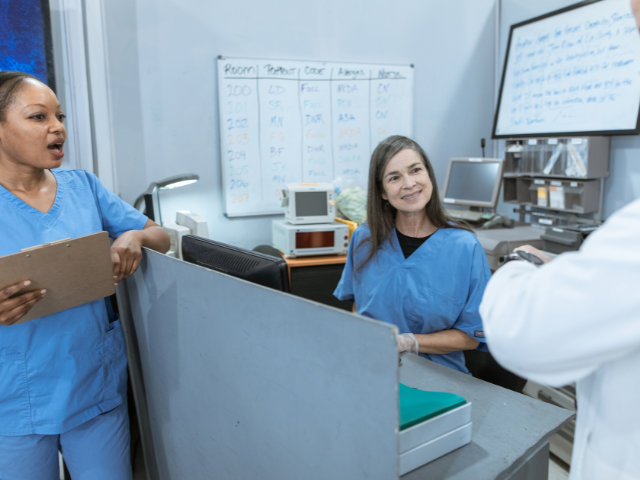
(406, 182)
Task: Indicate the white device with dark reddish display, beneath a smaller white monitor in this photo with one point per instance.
(303, 240)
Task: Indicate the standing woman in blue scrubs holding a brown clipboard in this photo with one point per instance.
(63, 376)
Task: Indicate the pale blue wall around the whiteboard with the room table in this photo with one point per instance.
(162, 75)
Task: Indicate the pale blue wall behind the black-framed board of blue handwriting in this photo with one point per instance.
(623, 184)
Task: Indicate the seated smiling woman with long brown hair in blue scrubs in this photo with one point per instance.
(410, 265)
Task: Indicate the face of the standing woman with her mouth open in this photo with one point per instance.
(32, 133)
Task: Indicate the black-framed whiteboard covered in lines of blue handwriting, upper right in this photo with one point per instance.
(574, 71)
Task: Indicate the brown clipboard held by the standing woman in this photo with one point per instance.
(73, 272)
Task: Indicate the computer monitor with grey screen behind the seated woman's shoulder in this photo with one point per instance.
(473, 182)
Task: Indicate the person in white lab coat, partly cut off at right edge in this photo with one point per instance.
(577, 319)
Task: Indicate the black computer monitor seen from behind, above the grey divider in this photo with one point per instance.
(254, 267)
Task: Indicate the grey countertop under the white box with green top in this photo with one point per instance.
(507, 426)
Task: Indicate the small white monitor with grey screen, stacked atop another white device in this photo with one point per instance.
(306, 203)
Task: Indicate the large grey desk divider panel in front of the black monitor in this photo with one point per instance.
(236, 381)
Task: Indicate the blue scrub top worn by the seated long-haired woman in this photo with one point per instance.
(437, 288)
